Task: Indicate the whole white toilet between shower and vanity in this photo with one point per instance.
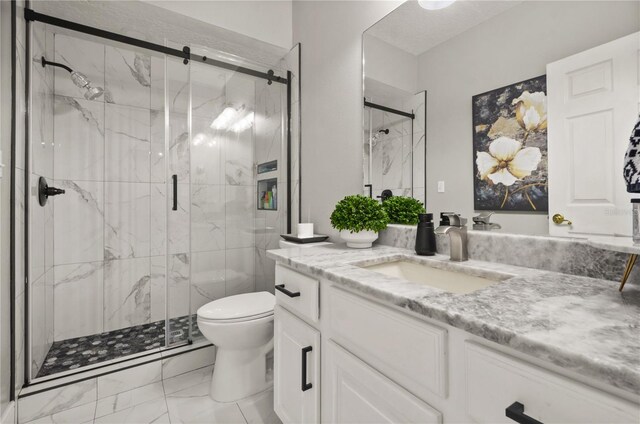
(241, 328)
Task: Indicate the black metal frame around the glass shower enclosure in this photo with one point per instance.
(185, 54)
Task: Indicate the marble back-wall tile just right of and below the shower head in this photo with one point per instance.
(127, 144)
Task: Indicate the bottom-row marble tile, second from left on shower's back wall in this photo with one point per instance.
(127, 293)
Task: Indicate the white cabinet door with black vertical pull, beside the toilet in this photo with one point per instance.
(296, 369)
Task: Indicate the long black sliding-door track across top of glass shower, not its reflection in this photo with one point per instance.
(185, 53)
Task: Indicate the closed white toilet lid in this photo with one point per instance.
(248, 305)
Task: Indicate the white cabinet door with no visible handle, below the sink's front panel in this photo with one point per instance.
(356, 393)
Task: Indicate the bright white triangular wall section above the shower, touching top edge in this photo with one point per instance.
(268, 21)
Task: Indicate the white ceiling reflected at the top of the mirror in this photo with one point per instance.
(416, 30)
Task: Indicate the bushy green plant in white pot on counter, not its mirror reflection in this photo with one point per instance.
(359, 219)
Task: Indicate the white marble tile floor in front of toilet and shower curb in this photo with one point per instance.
(180, 399)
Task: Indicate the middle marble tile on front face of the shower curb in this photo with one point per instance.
(122, 381)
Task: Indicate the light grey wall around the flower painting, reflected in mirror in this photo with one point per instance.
(511, 47)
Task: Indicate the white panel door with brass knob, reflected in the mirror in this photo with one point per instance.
(593, 100)
